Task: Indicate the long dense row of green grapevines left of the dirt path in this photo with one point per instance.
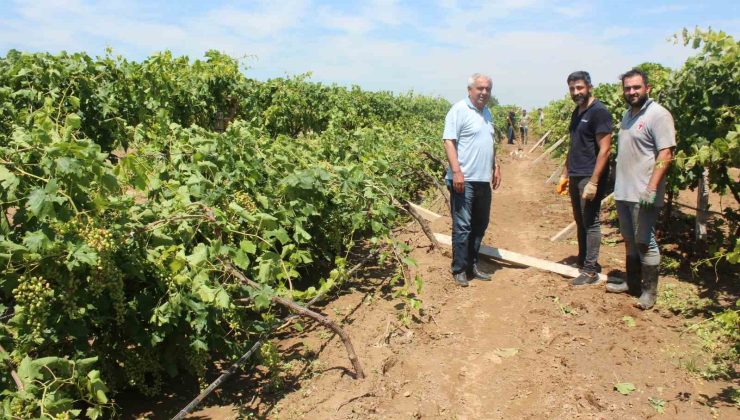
(126, 186)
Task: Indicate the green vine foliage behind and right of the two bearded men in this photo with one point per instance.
(704, 99)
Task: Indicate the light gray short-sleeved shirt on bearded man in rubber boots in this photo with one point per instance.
(641, 137)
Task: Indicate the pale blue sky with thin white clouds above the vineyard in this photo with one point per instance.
(430, 47)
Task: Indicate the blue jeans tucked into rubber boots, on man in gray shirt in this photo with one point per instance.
(637, 225)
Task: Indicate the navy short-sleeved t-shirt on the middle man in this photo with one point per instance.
(584, 148)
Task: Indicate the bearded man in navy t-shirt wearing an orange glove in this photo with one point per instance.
(586, 171)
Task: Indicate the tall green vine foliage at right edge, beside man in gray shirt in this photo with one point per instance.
(704, 97)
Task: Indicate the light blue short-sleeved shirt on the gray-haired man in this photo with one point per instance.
(472, 131)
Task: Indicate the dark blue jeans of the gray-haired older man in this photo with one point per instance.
(470, 213)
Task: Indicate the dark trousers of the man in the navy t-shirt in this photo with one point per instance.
(586, 216)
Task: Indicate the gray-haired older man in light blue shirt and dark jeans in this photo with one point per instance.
(468, 143)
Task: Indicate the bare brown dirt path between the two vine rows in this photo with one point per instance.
(525, 345)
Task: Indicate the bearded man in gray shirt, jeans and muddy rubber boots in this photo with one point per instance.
(647, 137)
